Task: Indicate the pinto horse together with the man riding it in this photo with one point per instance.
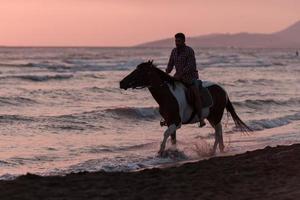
(174, 107)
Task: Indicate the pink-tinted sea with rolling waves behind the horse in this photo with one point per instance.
(62, 111)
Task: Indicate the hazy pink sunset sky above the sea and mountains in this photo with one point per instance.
(131, 22)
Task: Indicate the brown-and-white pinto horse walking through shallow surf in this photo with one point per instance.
(174, 107)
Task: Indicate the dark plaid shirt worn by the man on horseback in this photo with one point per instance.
(185, 64)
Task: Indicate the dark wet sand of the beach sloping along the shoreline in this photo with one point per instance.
(270, 173)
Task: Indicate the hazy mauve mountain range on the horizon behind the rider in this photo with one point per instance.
(287, 38)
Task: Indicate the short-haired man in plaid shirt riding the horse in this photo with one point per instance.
(183, 58)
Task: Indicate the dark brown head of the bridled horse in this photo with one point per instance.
(139, 78)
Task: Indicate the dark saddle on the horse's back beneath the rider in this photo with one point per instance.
(206, 97)
